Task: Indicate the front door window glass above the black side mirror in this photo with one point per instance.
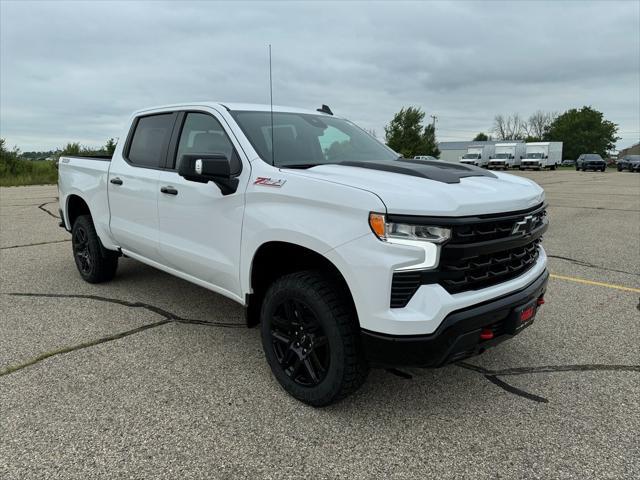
(203, 134)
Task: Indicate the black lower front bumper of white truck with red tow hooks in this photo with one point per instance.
(457, 337)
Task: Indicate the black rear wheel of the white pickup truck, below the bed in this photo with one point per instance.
(95, 263)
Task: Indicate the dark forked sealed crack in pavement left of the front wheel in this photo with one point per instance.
(169, 317)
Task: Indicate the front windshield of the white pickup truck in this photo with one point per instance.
(306, 140)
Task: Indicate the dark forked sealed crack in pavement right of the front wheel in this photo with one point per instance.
(492, 375)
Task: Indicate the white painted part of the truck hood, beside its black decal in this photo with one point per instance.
(413, 195)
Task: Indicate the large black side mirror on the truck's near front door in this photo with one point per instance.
(208, 167)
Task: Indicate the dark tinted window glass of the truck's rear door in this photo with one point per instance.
(150, 140)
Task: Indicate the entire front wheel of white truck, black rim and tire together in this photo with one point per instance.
(311, 338)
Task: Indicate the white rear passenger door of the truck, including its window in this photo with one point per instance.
(133, 184)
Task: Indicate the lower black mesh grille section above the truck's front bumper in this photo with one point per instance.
(481, 271)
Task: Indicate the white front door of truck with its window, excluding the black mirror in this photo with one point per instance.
(200, 228)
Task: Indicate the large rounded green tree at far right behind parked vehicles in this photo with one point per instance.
(583, 131)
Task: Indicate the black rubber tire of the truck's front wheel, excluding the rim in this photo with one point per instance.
(334, 313)
